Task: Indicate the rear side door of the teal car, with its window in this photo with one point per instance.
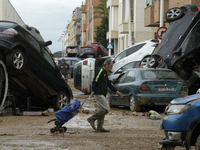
(126, 87)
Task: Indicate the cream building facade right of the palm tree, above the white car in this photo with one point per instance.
(119, 23)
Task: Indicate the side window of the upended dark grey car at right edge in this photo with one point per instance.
(192, 39)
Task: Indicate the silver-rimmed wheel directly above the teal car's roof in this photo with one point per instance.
(149, 62)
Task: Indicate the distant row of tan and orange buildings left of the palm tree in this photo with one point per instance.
(80, 30)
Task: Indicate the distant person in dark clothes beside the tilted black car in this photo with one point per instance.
(65, 69)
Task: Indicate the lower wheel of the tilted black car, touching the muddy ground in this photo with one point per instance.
(61, 100)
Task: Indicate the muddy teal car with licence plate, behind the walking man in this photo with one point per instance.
(144, 87)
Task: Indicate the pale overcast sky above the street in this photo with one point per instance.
(50, 17)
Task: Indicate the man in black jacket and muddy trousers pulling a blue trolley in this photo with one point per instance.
(99, 91)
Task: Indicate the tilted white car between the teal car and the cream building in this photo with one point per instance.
(135, 52)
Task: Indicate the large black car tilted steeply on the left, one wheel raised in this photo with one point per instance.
(30, 68)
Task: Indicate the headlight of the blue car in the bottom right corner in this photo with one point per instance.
(176, 109)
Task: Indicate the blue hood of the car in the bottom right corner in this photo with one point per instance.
(185, 100)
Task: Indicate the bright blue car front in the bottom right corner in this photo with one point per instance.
(182, 123)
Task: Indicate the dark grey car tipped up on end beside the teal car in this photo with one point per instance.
(179, 49)
